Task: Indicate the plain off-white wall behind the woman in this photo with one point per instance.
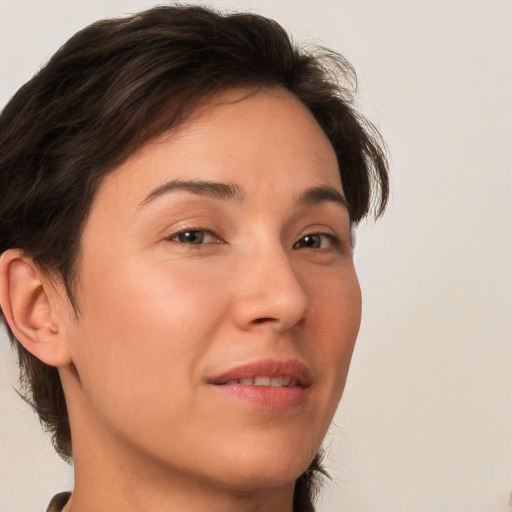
(425, 424)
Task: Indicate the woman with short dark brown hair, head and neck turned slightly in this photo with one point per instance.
(176, 269)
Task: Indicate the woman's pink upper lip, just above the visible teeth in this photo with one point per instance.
(266, 368)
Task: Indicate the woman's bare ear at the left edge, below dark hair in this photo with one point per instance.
(28, 309)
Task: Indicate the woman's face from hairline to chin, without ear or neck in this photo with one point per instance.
(218, 299)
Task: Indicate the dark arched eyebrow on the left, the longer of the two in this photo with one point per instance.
(225, 191)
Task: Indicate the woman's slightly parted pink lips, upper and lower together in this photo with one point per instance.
(267, 397)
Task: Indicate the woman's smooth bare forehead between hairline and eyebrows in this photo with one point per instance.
(251, 138)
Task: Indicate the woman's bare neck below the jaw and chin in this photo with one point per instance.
(113, 474)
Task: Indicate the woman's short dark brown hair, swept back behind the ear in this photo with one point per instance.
(119, 83)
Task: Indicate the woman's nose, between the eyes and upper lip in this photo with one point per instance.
(269, 292)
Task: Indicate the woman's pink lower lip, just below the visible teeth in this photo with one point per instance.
(272, 398)
